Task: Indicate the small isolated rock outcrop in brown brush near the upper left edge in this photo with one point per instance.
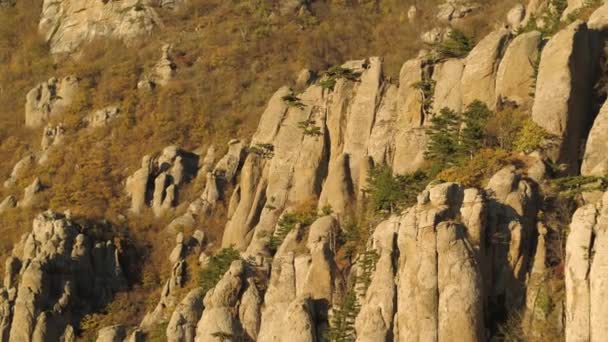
(49, 99)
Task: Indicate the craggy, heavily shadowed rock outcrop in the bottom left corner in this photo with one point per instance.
(42, 304)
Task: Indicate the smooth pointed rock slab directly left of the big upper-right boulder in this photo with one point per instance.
(515, 76)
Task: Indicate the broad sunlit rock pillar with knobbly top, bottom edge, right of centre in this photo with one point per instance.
(439, 279)
